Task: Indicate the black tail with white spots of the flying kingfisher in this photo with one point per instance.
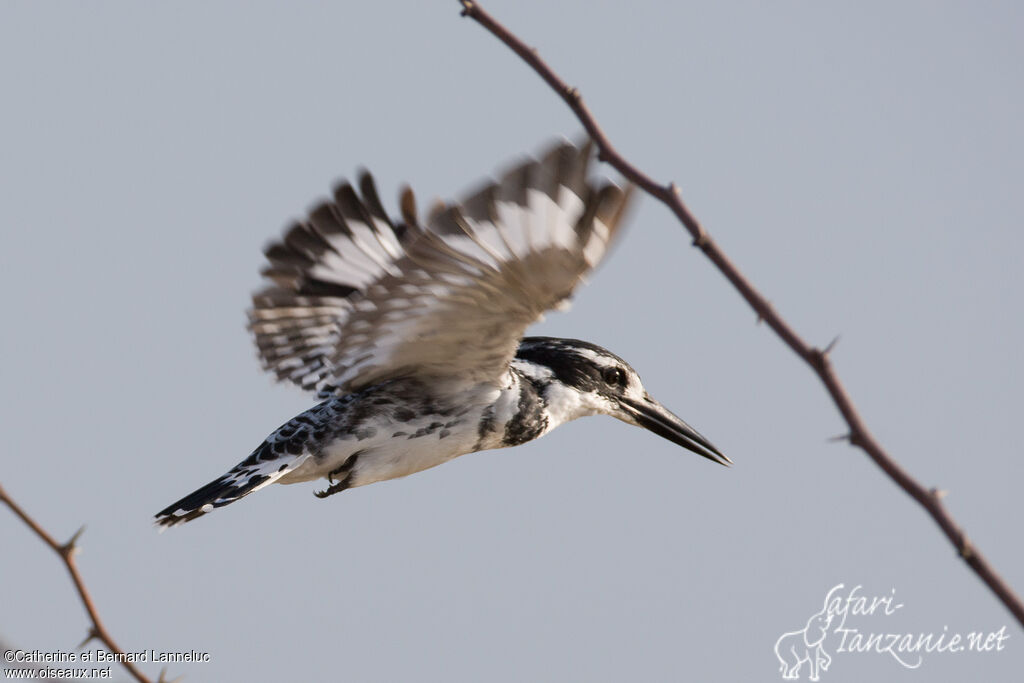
(261, 469)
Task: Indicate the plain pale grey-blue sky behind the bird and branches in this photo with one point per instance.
(862, 162)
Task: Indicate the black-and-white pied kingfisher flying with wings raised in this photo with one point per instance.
(411, 333)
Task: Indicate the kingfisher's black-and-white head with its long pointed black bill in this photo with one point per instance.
(585, 379)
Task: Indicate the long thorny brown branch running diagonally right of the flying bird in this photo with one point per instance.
(818, 359)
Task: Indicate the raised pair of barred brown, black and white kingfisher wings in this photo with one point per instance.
(357, 298)
